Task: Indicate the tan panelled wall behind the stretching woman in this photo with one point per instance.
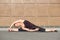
(39, 12)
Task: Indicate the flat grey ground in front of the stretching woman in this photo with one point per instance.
(5, 35)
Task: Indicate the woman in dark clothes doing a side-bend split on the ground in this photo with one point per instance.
(24, 25)
